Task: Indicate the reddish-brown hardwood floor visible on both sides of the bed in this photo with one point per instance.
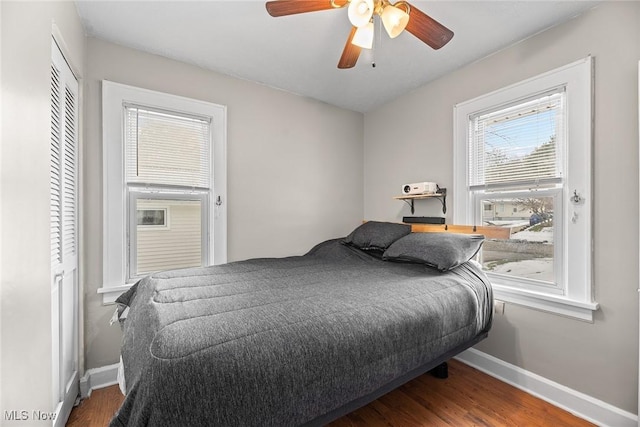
(467, 398)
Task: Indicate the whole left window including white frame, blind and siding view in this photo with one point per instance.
(165, 180)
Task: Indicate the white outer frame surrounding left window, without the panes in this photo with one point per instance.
(114, 97)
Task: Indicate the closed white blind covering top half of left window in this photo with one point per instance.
(167, 149)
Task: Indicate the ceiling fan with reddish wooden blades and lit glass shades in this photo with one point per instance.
(395, 18)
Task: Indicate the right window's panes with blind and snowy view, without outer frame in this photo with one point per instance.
(515, 155)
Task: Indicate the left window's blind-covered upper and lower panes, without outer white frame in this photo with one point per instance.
(167, 163)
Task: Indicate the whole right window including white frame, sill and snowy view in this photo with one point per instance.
(523, 161)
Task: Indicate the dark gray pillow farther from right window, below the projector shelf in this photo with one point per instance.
(376, 236)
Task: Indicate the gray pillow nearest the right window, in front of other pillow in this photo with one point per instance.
(443, 251)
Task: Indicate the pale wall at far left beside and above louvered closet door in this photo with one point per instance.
(25, 248)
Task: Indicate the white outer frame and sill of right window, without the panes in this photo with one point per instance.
(574, 298)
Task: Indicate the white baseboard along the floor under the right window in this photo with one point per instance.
(579, 404)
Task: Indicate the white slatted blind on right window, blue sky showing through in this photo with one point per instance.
(518, 144)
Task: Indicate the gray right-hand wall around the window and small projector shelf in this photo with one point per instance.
(599, 359)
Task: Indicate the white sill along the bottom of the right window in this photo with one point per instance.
(555, 304)
